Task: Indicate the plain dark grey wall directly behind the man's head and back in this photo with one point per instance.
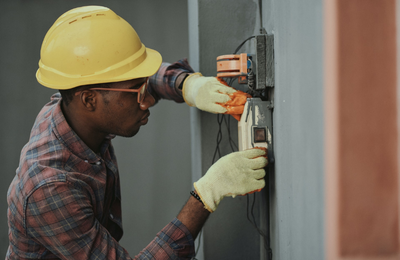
(154, 165)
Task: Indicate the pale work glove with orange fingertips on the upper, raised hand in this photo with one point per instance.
(213, 95)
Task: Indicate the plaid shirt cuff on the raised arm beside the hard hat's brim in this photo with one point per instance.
(162, 84)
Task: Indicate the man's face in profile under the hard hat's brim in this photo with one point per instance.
(122, 113)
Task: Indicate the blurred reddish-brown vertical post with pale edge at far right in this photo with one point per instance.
(361, 136)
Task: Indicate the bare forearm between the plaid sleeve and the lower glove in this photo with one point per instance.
(193, 215)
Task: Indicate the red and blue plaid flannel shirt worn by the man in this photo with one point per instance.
(65, 200)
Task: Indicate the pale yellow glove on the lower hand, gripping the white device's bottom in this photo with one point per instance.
(235, 174)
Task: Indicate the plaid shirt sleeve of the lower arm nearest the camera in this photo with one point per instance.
(60, 216)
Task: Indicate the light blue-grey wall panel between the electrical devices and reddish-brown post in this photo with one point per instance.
(298, 221)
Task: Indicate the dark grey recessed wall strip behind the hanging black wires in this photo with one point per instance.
(223, 25)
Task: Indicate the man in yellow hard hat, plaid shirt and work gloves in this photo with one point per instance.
(64, 202)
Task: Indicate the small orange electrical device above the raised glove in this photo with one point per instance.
(232, 66)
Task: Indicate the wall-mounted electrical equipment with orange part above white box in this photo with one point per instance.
(257, 71)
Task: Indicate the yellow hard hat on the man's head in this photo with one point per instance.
(92, 44)
